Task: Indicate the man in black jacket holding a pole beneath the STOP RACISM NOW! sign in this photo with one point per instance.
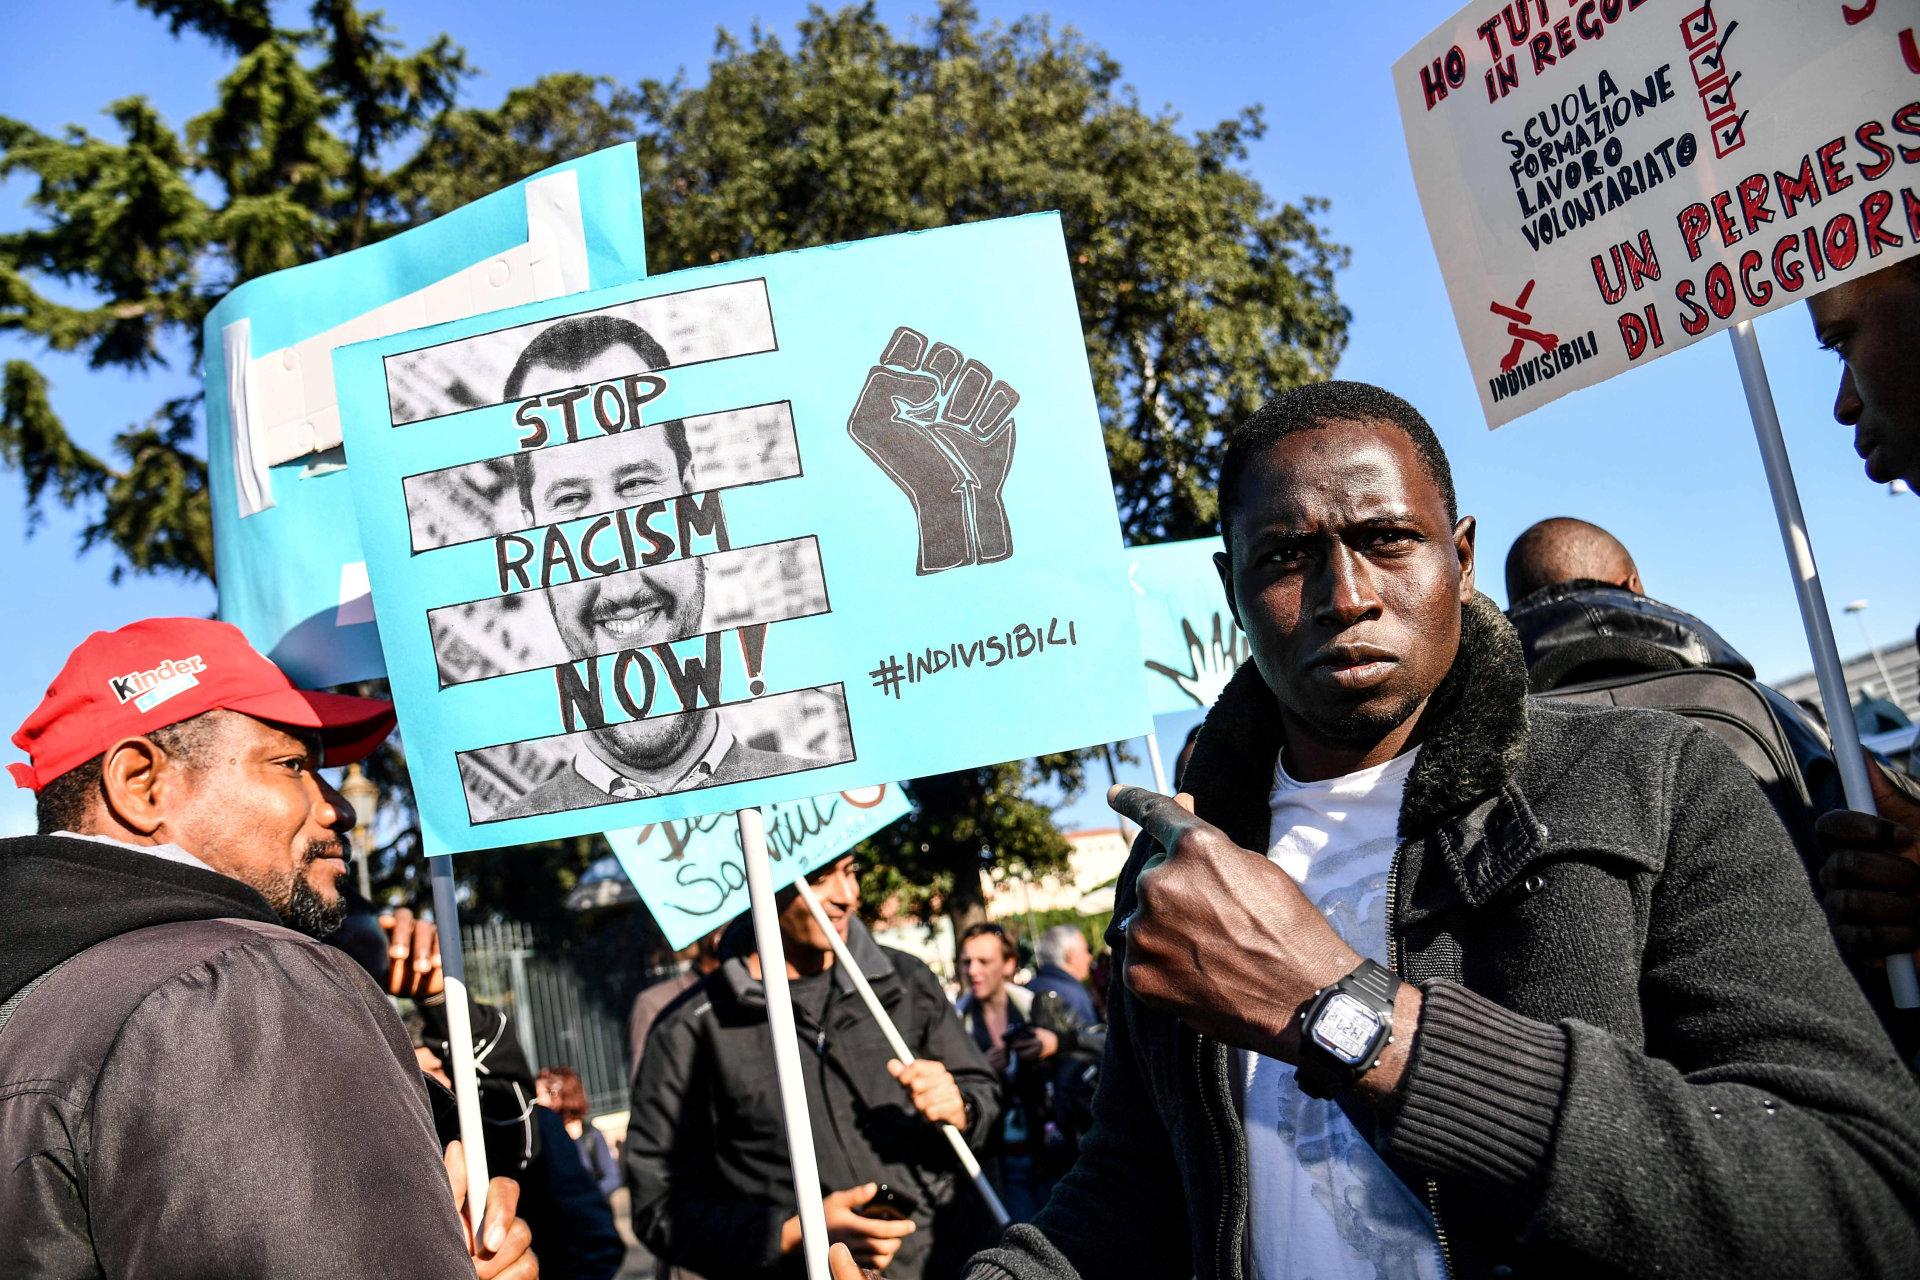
(708, 1150)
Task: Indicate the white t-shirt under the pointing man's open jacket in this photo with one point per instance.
(1324, 1202)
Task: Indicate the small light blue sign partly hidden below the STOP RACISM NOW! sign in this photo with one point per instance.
(692, 874)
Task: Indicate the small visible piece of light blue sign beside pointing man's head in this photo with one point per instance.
(1189, 642)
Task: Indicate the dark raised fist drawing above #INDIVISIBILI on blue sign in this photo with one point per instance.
(942, 427)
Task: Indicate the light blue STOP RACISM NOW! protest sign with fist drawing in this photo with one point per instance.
(759, 533)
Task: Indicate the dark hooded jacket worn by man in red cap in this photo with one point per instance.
(199, 1091)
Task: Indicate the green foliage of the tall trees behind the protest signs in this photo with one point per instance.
(1199, 295)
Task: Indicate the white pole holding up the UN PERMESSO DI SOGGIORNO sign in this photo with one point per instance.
(1813, 611)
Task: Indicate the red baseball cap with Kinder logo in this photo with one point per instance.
(164, 671)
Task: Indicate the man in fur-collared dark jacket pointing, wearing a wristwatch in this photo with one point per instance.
(1621, 1039)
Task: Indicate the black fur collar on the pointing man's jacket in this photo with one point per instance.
(1476, 738)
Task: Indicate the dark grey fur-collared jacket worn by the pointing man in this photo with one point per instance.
(1639, 1051)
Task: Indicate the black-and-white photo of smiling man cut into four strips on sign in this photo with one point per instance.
(610, 611)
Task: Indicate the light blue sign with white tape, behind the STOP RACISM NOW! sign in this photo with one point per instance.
(285, 542)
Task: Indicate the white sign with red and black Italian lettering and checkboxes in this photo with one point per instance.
(1608, 181)
